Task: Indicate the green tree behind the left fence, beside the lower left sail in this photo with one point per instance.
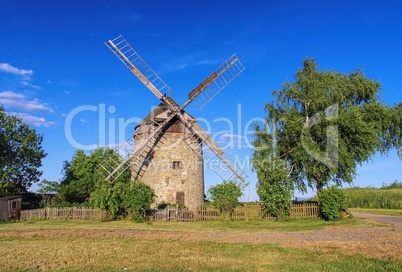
(82, 174)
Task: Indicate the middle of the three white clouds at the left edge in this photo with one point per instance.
(20, 102)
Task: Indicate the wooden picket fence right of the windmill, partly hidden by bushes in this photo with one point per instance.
(247, 211)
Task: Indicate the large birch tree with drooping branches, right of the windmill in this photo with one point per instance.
(326, 123)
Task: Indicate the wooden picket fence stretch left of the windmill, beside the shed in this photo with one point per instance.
(64, 213)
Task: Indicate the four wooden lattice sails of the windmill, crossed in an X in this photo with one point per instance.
(137, 158)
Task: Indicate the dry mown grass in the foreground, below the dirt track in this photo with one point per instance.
(41, 253)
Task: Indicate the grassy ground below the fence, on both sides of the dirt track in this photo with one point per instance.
(112, 246)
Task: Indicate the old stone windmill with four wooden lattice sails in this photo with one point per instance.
(166, 151)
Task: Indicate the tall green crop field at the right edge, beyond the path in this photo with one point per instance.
(374, 198)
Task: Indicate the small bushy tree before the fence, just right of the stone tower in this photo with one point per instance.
(225, 196)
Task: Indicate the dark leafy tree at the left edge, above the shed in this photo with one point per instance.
(21, 155)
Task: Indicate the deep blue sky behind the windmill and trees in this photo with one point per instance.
(55, 67)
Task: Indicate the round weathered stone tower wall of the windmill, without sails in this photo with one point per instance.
(175, 171)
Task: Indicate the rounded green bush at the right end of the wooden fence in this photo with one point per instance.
(332, 201)
